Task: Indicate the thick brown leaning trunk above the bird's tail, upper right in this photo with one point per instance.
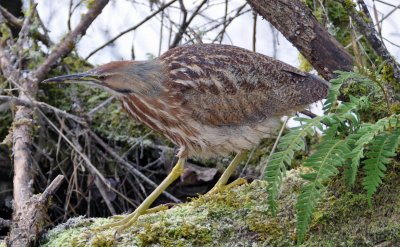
(296, 22)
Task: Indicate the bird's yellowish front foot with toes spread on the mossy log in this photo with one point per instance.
(125, 221)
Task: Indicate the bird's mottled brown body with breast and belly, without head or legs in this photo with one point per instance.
(220, 98)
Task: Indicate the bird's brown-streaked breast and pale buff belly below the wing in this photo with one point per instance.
(193, 137)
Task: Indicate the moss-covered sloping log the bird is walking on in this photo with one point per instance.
(239, 217)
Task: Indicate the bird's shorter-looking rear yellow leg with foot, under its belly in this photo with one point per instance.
(221, 184)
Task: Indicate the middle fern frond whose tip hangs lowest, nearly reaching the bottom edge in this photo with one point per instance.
(324, 163)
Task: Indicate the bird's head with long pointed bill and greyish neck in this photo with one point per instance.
(121, 77)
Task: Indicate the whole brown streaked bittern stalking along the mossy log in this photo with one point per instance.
(209, 99)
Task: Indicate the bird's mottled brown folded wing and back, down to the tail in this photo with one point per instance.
(227, 85)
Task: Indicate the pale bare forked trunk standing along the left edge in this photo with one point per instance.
(27, 224)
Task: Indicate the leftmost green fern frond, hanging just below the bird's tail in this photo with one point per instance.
(289, 144)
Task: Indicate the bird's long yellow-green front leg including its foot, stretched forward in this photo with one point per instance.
(144, 207)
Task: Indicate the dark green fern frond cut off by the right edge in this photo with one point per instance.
(378, 156)
